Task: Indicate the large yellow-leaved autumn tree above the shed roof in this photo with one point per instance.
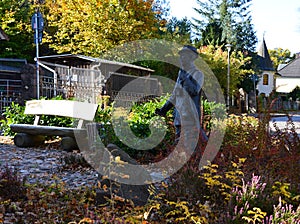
(91, 27)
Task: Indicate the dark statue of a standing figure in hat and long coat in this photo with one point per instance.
(186, 96)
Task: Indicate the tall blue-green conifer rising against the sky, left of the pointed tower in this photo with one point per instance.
(225, 21)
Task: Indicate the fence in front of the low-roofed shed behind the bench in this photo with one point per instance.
(90, 84)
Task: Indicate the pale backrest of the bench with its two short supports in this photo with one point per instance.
(64, 108)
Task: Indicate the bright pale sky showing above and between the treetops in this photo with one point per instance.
(275, 20)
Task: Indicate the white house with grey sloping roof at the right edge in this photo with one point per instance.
(288, 77)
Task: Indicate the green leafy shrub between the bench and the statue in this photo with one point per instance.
(140, 116)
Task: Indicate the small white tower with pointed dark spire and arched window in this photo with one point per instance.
(266, 83)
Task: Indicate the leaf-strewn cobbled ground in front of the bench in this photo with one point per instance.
(45, 165)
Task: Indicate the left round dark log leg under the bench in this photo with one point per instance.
(26, 140)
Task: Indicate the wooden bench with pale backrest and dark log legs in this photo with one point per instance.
(29, 135)
